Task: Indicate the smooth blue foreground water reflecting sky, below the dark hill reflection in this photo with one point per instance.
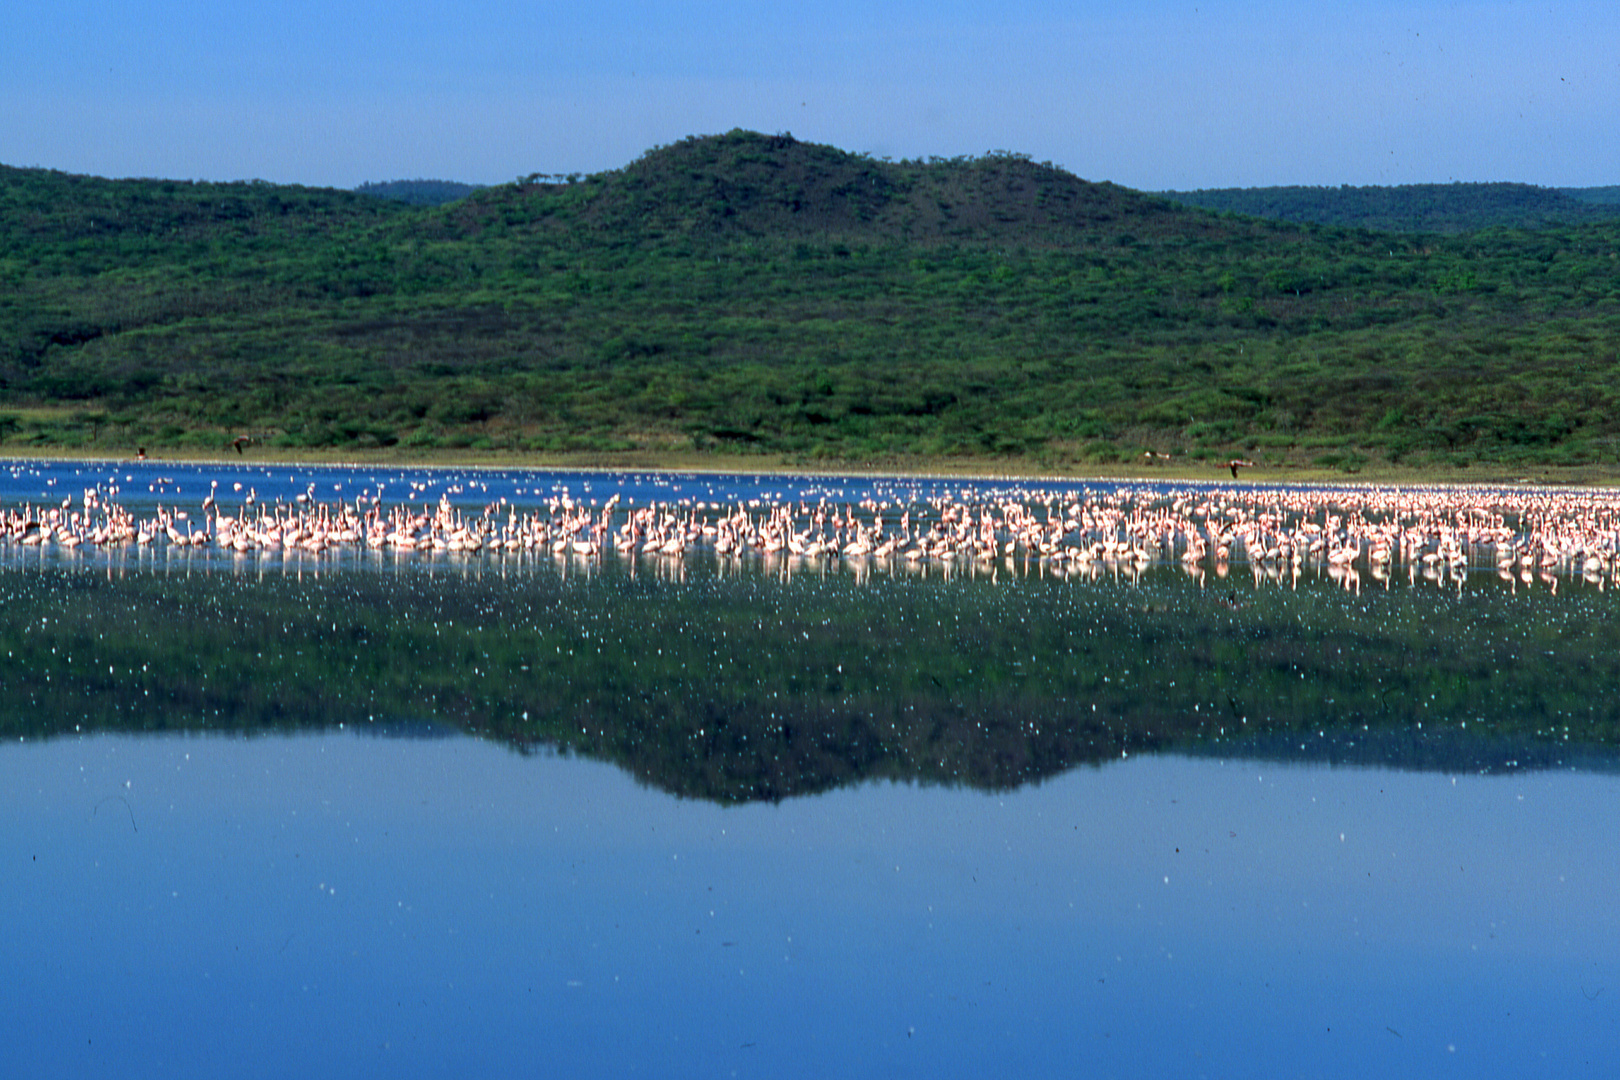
(356, 906)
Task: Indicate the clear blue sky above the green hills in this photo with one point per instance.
(1154, 95)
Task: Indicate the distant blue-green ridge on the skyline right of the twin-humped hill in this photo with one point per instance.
(1456, 208)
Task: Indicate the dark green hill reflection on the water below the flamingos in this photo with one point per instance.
(746, 684)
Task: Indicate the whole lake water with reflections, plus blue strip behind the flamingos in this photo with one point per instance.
(357, 815)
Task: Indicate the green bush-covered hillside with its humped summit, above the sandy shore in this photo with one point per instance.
(759, 296)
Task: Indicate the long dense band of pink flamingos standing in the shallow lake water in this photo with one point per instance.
(1349, 532)
